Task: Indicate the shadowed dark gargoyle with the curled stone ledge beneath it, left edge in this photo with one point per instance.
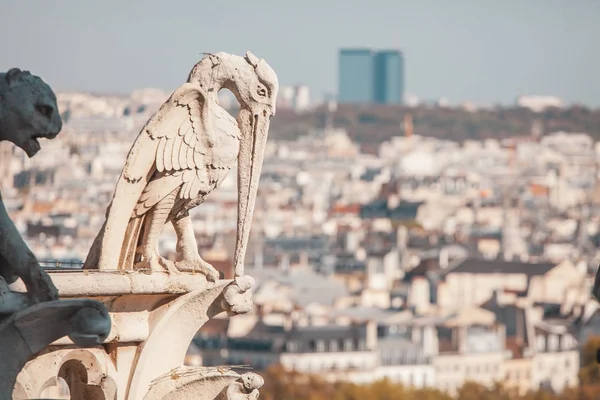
(31, 321)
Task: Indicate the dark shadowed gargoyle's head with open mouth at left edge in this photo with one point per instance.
(28, 110)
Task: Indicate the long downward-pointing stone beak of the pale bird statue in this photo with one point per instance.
(255, 129)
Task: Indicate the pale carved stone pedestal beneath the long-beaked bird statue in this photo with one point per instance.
(154, 319)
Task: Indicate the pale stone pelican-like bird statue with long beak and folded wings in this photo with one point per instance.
(181, 155)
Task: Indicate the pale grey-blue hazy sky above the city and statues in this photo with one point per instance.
(485, 51)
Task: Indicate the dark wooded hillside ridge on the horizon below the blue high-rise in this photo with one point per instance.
(374, 124)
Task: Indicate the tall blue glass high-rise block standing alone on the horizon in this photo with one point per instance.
(370, 76)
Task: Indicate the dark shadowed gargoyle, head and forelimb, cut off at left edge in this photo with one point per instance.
(28, 112)
